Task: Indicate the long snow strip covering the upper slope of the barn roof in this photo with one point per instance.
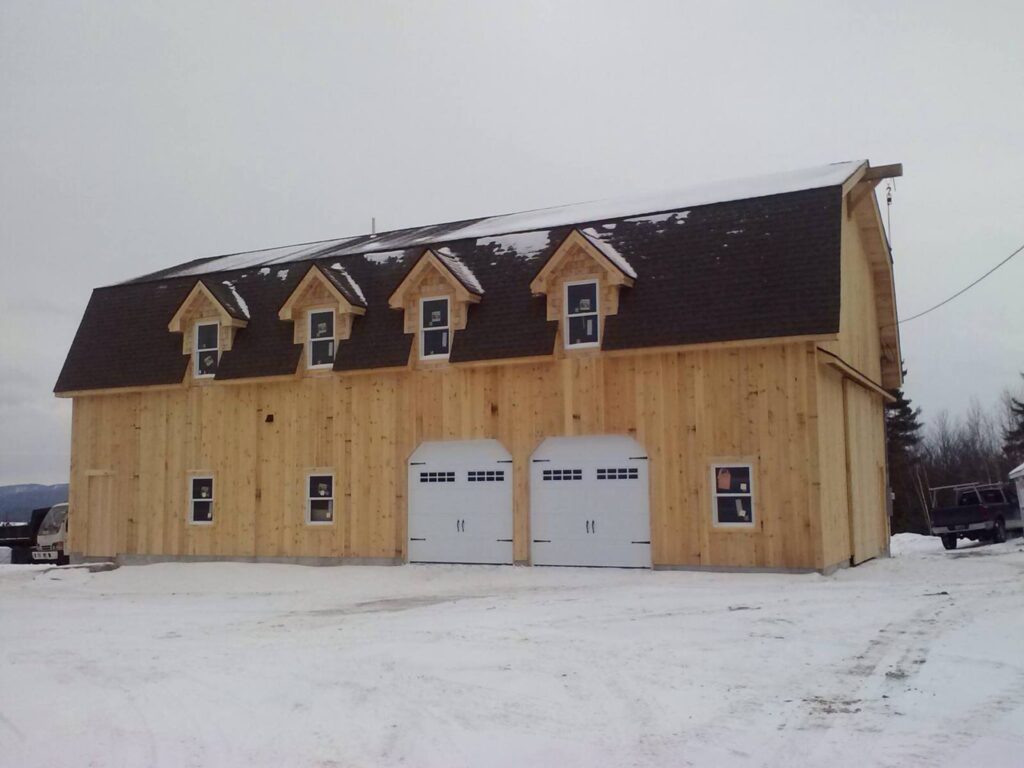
(534, 223)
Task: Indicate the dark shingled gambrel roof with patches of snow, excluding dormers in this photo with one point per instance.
(751, 261)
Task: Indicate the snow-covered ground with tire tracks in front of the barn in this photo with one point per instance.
(914, 661)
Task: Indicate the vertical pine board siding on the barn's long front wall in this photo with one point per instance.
(682, 407)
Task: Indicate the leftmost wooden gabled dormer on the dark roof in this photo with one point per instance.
(208, 319)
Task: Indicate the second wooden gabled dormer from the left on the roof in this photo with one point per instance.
(323, 308)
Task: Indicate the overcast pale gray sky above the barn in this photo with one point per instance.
(140, 135)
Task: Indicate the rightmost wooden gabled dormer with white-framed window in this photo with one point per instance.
(582, 280)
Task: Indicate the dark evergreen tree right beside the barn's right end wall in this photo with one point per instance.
(903, 440)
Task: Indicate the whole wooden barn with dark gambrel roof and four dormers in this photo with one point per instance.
(689, 380)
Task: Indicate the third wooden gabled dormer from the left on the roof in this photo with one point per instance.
(436, 296)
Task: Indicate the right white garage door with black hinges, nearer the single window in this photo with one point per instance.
(589, 503)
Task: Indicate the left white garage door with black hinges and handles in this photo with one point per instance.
(460, 503)
